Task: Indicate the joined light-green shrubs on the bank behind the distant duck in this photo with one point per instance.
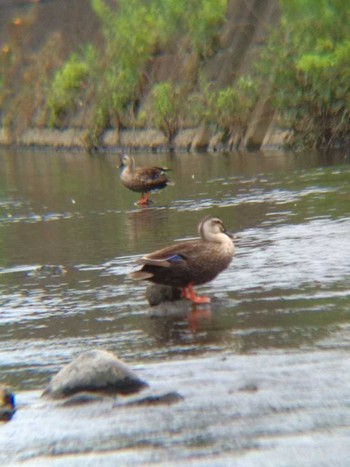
(111, 82)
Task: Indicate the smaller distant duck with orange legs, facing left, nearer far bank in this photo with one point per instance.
(142, 179)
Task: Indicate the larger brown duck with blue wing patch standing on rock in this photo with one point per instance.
(190, 263)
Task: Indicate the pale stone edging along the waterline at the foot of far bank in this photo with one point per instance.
(193, 139)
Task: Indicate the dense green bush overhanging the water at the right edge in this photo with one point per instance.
(307, 63)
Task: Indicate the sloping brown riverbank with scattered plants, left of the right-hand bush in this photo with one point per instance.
(47, 81)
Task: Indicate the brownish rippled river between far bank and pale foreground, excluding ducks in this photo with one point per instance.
(287, 289)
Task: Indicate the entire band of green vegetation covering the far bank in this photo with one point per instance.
(112, 83)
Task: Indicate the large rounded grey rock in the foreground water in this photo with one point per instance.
(95, 371)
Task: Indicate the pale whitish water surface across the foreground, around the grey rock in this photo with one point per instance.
(270, 408)
